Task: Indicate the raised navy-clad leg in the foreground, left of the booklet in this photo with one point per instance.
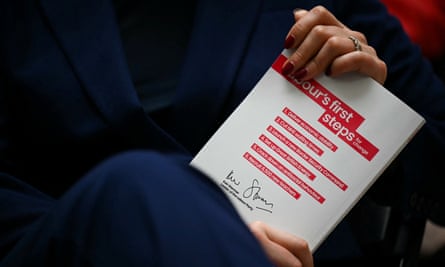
(140, 208)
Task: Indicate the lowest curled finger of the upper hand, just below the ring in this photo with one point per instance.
(361, 62)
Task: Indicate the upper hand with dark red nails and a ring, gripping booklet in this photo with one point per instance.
(321, 43)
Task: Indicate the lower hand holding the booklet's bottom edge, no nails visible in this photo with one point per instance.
(283, 249)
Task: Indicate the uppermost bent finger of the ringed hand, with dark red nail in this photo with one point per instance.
(318, 15)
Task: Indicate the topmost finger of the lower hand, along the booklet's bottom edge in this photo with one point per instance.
(297, 246)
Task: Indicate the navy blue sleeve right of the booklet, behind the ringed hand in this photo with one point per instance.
(412, 79)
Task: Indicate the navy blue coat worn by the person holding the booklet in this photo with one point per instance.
(67, 100)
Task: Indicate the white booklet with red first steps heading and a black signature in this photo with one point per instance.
(299, 155)
